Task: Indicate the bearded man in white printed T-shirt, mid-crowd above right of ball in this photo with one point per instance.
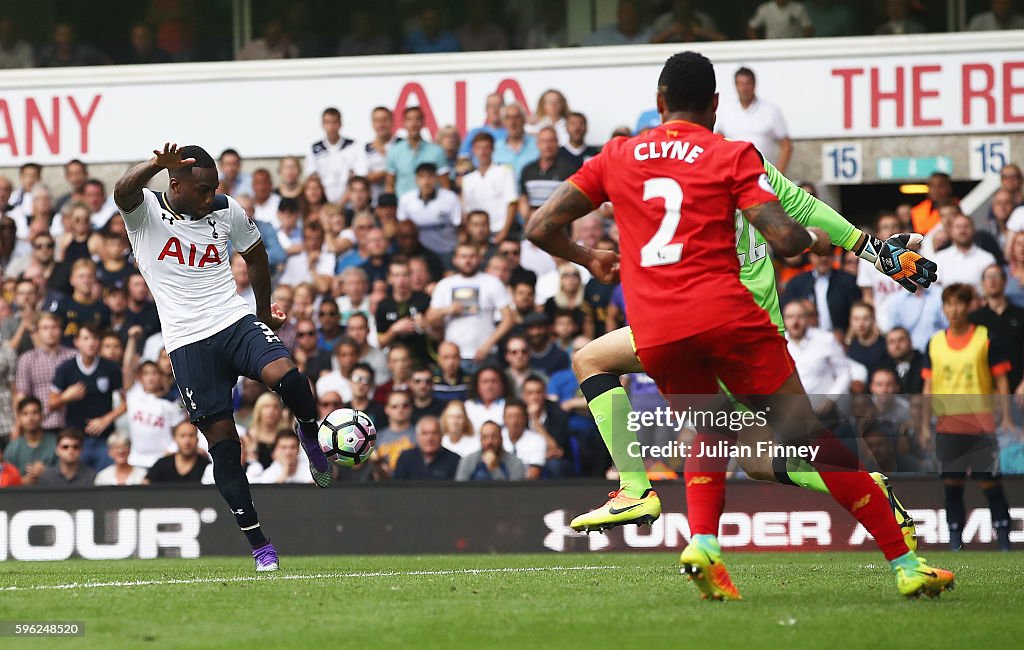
(468, 305)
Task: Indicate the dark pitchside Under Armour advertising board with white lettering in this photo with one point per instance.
(144, 524)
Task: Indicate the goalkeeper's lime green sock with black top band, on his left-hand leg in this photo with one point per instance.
(611, 406)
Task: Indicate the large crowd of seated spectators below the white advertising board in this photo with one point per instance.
(414, 298)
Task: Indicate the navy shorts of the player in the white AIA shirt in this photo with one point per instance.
(207, 371)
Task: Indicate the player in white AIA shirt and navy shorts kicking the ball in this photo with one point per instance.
(181, 240)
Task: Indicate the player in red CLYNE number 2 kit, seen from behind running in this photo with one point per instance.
(676, 190)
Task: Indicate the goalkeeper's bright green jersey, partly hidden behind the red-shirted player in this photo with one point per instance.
(756, 269)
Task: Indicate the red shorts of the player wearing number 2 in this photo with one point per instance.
(749, 356)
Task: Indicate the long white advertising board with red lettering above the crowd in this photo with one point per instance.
(272, 109)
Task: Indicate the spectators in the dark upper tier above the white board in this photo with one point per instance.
(163, 36)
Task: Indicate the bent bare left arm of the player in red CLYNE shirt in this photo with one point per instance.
(548, 230)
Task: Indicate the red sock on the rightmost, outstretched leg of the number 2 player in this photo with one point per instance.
(855, 490)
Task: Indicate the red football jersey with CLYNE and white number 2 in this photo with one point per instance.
(676, 191)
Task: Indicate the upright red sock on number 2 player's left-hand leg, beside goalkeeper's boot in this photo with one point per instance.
(705, 487)
